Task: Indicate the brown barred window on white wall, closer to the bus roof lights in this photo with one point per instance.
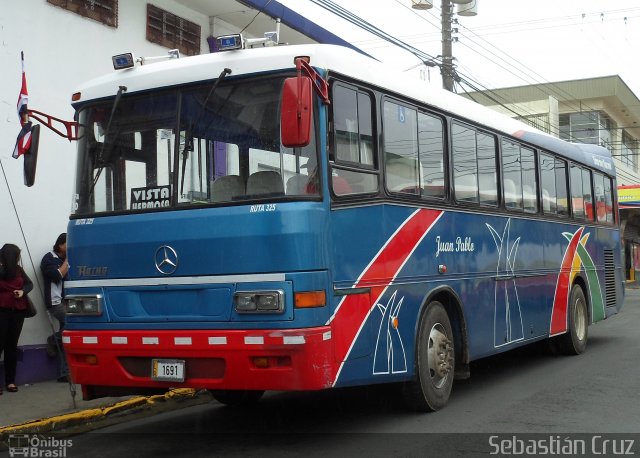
(171, 31)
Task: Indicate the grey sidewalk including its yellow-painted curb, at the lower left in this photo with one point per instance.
(48, 406)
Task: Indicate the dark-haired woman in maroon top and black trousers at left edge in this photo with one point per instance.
(14, 286)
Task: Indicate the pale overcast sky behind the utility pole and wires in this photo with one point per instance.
(509, 42)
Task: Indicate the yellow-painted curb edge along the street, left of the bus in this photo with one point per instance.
(90, 419)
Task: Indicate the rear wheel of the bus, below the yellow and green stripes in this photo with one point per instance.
(574, 341)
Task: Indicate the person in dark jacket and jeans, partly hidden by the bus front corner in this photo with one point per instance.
(54, 267)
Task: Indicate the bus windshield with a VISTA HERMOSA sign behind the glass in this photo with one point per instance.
(189, 147)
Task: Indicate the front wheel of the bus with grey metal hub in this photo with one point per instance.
(435, 362)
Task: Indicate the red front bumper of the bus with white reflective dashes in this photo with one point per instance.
(300, 359)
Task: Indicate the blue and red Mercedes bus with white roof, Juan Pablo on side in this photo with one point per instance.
(303, 218)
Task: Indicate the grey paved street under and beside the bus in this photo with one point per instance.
(525, 391)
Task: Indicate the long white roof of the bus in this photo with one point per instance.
(340, 60)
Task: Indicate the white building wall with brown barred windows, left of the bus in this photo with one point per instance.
(66, 43)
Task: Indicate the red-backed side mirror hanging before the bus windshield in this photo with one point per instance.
(295, 112)
